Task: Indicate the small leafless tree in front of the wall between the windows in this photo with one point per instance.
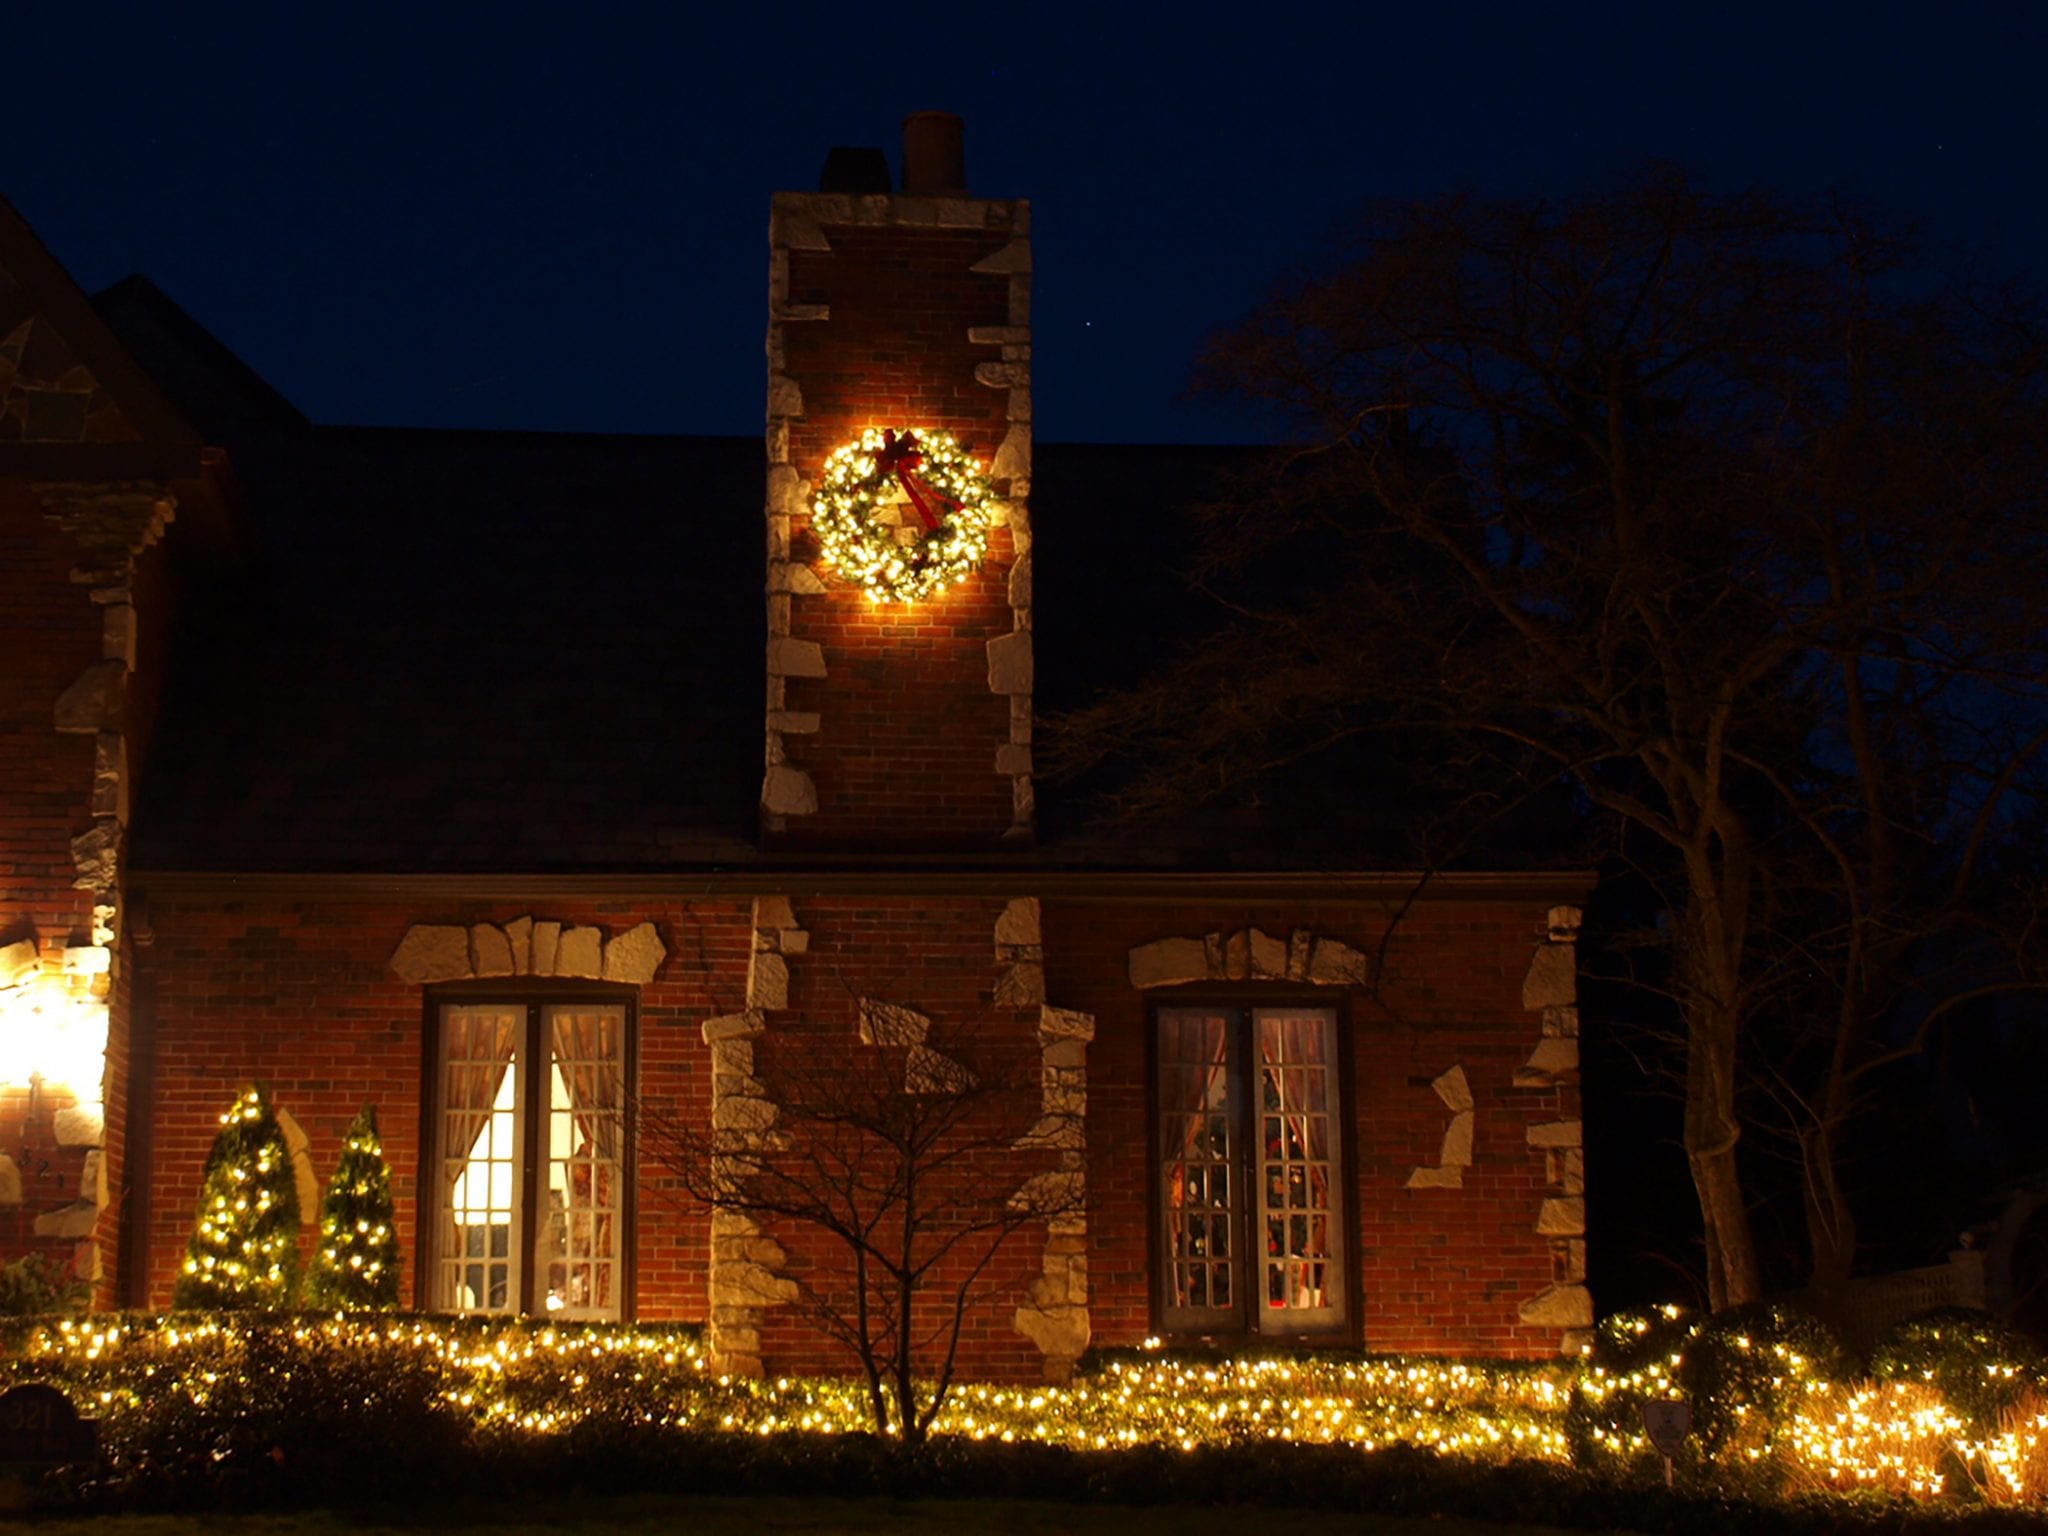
(910, 1152)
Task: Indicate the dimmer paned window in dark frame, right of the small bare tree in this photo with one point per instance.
(1250, 1172)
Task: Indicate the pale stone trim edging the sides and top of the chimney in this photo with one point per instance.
(800, 222)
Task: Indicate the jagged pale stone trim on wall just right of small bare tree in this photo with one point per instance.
(1056, 1312)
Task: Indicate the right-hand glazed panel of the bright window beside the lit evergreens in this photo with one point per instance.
(581, 1226)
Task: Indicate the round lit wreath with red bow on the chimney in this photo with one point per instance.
(902, 515)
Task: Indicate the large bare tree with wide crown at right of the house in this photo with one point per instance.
(1652, 495)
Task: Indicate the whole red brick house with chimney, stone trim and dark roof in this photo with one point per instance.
(511, 781)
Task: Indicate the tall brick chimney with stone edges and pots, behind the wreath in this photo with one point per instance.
(904, 726)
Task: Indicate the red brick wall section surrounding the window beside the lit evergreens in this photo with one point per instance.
(302, 998)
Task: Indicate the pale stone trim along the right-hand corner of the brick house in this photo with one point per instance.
(1551, 990)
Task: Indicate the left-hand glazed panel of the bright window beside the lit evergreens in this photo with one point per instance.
(480, 1158)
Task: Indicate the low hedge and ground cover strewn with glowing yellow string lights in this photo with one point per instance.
(1947, 1422)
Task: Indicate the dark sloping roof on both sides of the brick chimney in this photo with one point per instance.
(544, 654)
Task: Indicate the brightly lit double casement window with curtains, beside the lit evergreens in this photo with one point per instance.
(529, 1201)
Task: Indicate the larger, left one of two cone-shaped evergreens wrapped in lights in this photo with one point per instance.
(245, 1248)
